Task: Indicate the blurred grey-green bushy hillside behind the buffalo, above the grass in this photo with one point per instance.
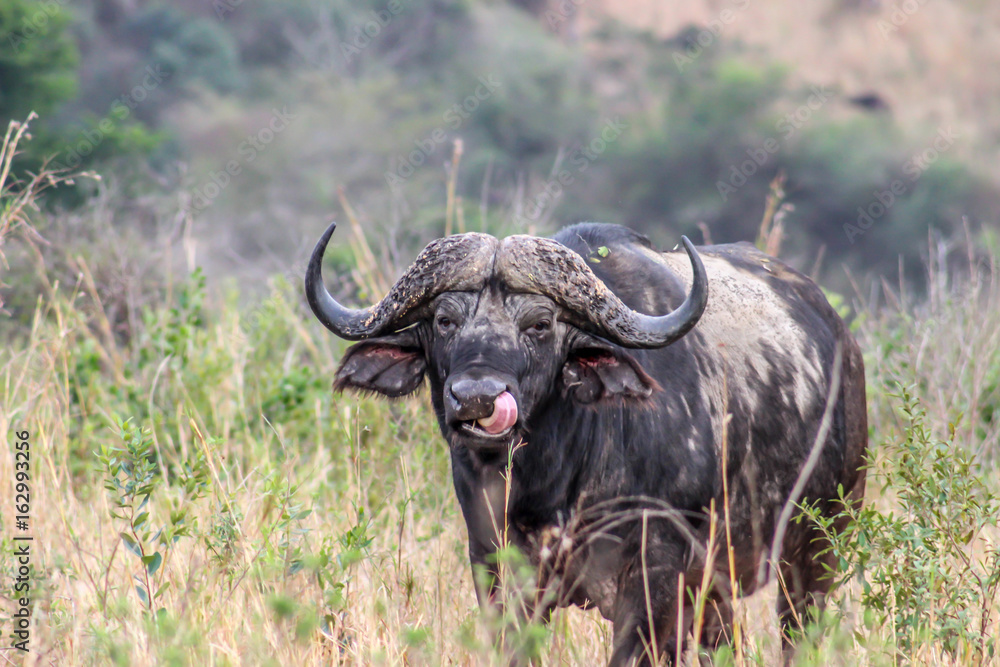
(372, 89)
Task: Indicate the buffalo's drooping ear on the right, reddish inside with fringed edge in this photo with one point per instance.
(605, 373)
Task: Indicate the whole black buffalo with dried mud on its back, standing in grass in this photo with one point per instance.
(619, 416)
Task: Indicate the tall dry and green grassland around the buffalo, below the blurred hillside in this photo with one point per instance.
(200, 497)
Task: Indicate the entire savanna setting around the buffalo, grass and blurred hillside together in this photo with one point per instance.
(197, 493)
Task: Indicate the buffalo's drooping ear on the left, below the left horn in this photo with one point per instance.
(391, 365)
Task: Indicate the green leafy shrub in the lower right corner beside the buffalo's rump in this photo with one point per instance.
(926, 567)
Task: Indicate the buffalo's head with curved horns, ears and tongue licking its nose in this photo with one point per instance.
(498, 328)
